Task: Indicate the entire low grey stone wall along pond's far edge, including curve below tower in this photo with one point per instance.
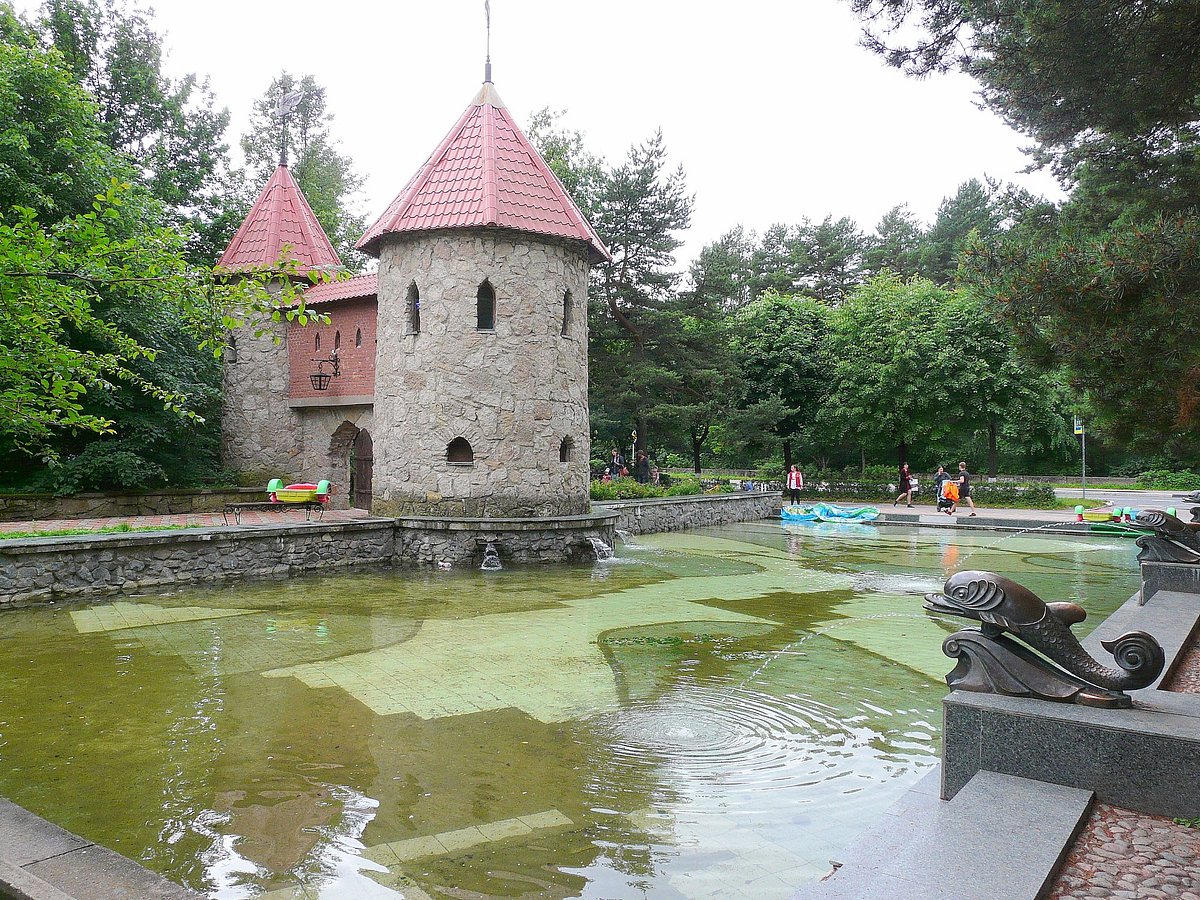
(51, 569)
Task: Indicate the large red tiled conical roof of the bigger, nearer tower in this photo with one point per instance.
(485, 175)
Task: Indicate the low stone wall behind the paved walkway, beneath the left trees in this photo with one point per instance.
(21, 507)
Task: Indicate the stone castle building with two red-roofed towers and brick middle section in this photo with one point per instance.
(463, 387)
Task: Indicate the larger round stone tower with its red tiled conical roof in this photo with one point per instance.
(482, 364)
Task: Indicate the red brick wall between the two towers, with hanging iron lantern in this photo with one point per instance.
(347, 320)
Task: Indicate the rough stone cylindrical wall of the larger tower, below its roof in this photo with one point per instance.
(514, 393)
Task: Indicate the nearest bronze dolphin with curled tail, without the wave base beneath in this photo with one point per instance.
(1004, 605)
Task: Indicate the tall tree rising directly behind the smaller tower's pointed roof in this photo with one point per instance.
(326, 175)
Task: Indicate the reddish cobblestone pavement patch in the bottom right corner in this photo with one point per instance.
(1121, 854)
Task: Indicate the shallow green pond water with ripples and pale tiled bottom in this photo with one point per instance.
(715, 713)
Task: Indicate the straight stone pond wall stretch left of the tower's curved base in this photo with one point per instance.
(53, 569)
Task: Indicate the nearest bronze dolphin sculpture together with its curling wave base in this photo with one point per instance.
(992, 662)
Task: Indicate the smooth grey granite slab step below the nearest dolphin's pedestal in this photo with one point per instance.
(1001, 838)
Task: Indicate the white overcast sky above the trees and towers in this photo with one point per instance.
(771, 106)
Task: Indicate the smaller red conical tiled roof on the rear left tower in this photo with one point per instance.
(281, 218)
